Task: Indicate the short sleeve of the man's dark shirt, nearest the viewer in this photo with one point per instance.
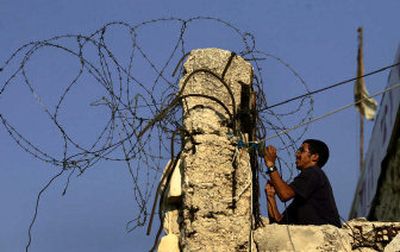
(306, 182)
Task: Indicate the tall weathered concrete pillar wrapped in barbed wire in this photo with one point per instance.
(216, 186)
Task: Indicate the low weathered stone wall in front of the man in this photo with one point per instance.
(356, 235)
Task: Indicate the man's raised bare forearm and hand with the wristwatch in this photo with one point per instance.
(284, 191)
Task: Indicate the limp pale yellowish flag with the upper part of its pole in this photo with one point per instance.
(367, 106)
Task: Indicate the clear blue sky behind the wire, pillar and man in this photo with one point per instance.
(318, 39)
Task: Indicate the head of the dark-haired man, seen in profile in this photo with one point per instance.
(312, 153)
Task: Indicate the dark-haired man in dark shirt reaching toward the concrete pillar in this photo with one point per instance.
(313, 202)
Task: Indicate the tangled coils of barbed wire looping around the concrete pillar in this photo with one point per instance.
(136, 93)
